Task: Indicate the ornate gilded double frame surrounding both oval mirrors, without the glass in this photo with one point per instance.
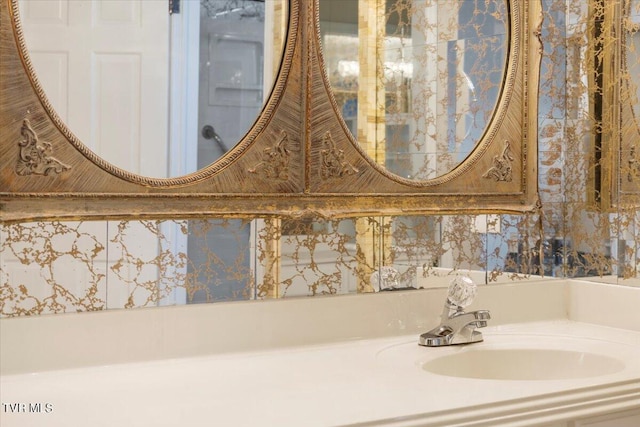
(299, 158)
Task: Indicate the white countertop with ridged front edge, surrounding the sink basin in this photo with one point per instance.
(370, 381)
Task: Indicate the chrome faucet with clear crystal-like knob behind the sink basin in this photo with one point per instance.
(456, 326)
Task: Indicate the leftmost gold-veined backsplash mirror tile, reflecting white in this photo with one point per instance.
(52, 267)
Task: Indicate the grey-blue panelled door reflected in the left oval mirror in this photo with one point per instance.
(231, 70)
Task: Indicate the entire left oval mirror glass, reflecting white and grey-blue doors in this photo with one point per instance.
(154, 91)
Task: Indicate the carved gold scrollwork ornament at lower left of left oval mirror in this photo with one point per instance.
(35, 158)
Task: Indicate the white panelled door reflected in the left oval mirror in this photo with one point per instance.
(104, 68)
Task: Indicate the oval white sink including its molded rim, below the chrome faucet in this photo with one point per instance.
(514, 357)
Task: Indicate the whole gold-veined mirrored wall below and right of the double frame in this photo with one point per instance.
(588, 224)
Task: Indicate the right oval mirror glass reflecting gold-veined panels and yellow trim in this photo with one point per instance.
(416, 81)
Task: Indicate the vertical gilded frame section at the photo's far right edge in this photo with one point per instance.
(615, 174)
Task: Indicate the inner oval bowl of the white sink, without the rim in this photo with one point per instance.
(523, 364)
